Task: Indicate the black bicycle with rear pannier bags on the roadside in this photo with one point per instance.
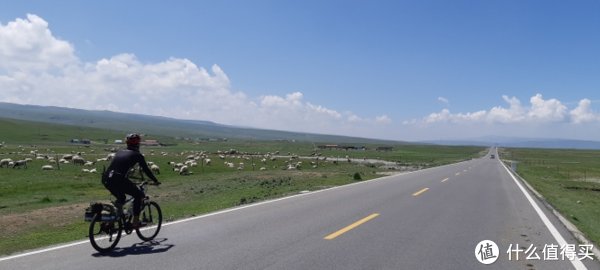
(106, 226)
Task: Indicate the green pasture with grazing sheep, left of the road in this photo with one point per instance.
(39, 208)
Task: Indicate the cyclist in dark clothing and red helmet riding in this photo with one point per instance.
(116, 181)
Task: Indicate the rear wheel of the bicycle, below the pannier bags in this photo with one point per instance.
(104, 235)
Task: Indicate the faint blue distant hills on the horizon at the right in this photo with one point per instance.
(523, 142)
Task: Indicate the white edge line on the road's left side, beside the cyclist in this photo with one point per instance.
(231, 210)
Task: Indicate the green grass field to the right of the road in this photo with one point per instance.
(568, 179)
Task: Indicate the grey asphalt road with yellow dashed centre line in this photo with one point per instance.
(430, 219)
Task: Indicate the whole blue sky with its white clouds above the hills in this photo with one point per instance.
(403, 70)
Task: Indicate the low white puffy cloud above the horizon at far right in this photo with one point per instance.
(540, 111)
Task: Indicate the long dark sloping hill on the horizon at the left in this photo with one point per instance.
(161, 126)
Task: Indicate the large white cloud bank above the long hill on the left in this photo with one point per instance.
(38, 68)
